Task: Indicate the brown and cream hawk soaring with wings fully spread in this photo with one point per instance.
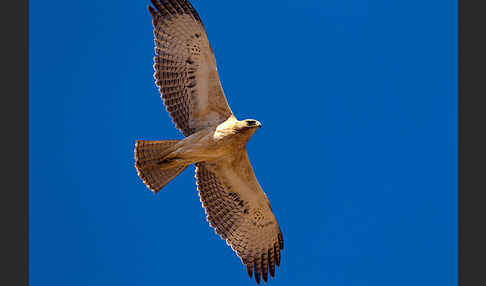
(215, 141)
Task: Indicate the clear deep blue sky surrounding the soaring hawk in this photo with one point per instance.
(357, 153)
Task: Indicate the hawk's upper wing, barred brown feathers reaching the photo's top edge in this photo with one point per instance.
(185, 67)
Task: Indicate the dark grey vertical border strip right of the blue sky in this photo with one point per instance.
(471, 143)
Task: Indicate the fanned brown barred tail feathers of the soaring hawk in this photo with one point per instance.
(148, 158)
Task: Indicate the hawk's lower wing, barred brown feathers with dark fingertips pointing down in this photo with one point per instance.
(239, 211)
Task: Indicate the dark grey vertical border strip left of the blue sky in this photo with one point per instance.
(14, 208)
